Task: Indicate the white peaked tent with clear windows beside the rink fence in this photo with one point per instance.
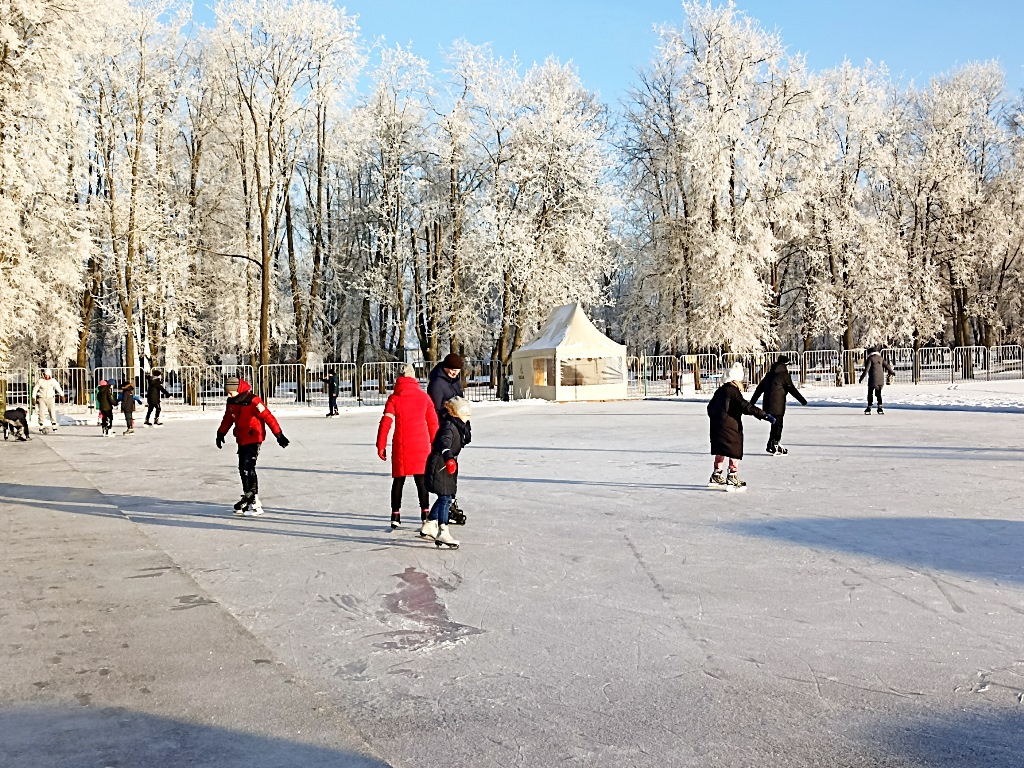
(570, 360)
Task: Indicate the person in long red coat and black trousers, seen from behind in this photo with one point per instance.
(415, 420)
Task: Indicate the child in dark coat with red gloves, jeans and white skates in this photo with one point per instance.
(443, 468)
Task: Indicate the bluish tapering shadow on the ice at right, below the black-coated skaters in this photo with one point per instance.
(983, 548)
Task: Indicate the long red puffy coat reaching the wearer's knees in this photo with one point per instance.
(415, 424)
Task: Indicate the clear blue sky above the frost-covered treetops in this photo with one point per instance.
(610, 40)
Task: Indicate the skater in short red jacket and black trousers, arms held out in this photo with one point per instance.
(250, 418)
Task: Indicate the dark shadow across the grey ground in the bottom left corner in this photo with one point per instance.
(67, 738)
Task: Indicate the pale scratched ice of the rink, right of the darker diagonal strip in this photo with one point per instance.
(862, 605)
